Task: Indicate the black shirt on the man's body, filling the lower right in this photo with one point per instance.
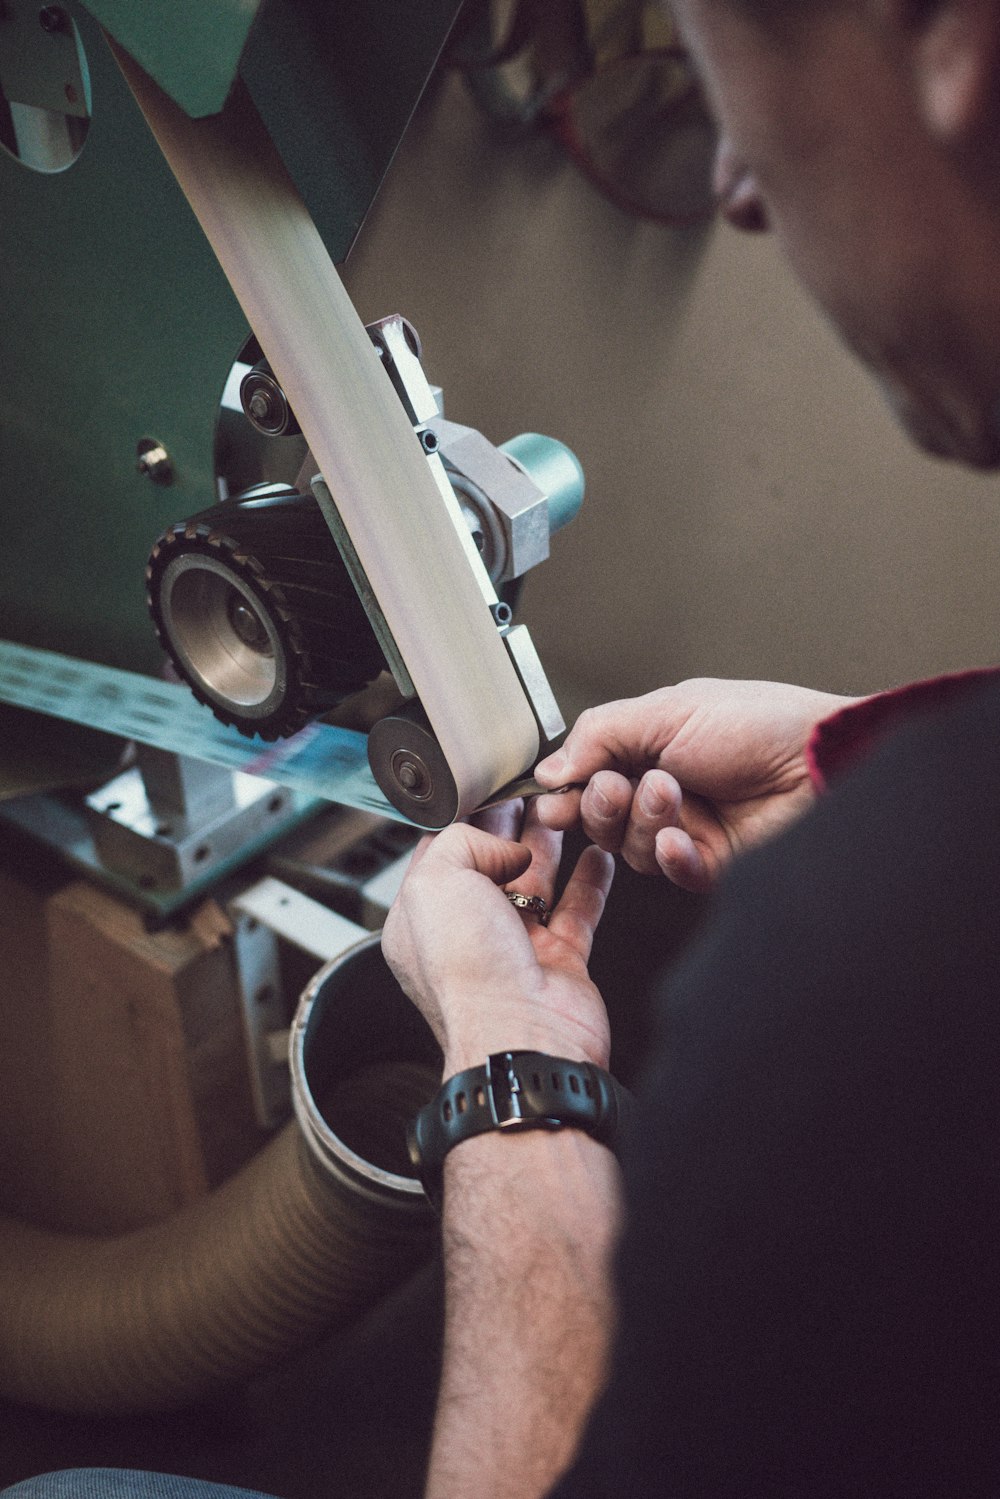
(810, 1281)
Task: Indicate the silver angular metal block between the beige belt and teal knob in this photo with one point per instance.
(512, 510)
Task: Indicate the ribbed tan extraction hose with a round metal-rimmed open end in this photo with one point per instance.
(293, 1246)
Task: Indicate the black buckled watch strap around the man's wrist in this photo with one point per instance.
(515, 1091)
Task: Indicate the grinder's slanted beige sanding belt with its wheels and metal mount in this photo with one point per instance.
(401, 534)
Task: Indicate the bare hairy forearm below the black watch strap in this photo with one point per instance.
(530, 1228)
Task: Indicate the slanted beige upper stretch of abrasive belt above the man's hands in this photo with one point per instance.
(358, 431)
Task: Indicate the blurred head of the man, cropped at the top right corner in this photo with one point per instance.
(867, 136)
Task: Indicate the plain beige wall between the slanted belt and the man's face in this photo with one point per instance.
(752, 510)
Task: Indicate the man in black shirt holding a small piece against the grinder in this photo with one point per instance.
(807, 1287)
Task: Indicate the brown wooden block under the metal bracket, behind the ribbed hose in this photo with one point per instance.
(136, 1095)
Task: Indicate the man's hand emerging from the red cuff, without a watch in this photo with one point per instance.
(683, 779)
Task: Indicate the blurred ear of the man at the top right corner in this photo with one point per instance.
(954, 49)
